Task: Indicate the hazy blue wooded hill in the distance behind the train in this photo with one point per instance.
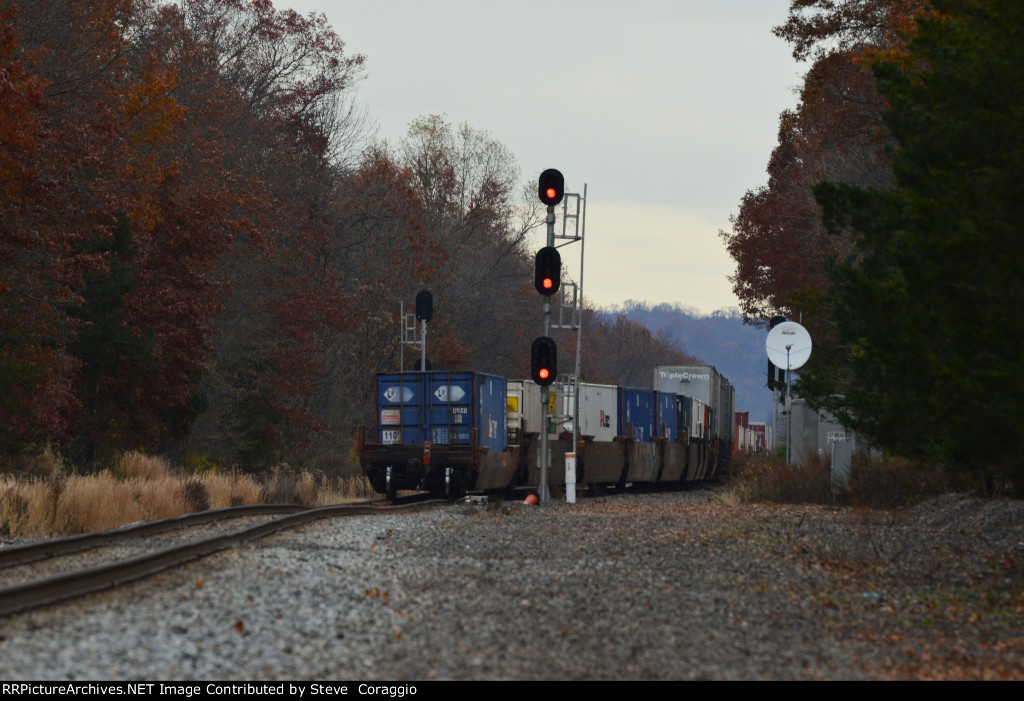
(737, 350)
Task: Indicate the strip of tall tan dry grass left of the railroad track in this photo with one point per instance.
(45, 501)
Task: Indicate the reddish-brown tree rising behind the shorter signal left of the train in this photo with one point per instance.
(381, 249)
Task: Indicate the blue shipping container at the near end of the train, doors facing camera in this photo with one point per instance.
(442, 408)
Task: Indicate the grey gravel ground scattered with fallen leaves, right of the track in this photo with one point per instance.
(653, 587)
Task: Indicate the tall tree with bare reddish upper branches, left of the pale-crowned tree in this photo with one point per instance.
(279, 103)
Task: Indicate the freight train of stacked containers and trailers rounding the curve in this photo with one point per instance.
(451, 432)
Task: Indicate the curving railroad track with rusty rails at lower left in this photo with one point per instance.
(50, 590)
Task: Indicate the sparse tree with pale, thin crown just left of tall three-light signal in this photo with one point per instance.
(476, 210)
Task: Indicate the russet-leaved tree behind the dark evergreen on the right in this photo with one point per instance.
(836, 134)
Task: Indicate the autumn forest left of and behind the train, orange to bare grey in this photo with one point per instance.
(203, 250)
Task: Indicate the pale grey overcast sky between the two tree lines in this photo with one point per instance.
(667, 110)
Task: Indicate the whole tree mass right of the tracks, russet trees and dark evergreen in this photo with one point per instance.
(891, 222)
